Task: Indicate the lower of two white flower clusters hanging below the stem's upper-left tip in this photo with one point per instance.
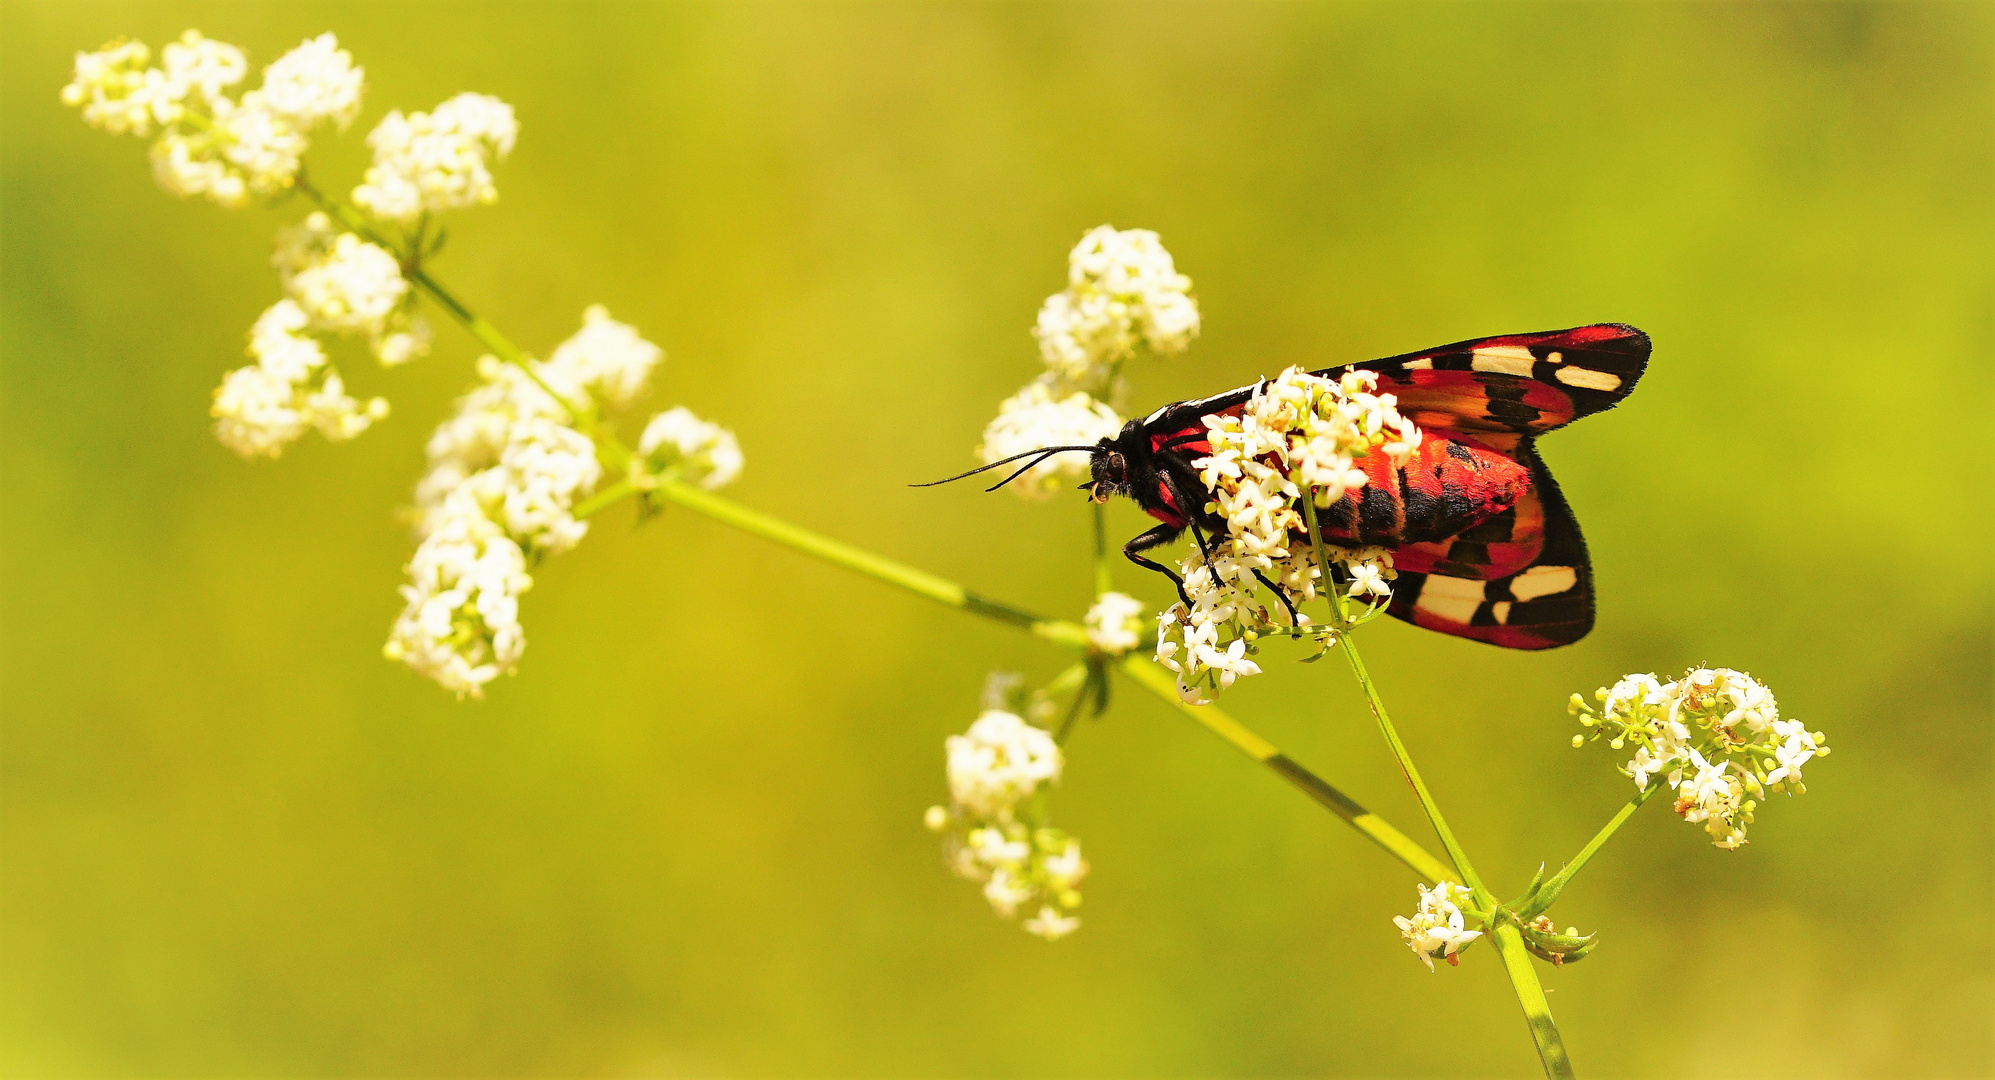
(288, 390)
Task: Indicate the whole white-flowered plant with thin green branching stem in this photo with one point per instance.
(530, 454)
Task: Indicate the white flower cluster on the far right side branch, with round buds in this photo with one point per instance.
(1713, 736)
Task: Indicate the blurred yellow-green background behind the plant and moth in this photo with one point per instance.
(687, 841)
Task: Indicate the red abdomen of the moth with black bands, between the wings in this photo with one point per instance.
(1443, 490)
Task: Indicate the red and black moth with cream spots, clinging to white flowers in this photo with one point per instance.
(1483, 540)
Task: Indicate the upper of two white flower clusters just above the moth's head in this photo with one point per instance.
(1122, 288)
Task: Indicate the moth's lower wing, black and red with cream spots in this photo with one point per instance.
(1543, 606)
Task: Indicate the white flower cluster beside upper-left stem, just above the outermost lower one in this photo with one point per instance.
(350, 286)
